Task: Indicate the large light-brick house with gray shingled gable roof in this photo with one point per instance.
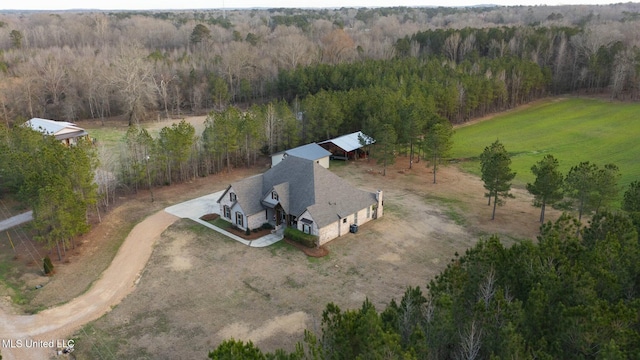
(302, 194)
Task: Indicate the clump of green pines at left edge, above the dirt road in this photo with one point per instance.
(54, 180)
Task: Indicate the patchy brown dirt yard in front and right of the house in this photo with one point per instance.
(200, 288)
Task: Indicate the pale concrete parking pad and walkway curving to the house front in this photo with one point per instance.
(196, 208)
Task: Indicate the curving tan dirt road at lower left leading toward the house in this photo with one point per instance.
(29, 336)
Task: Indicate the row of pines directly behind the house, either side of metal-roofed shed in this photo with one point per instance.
(233, 137)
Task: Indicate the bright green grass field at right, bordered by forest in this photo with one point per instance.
(571, 129)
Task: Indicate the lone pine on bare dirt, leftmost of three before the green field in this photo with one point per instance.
(496, 174)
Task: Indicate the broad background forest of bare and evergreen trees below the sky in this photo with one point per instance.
(148, 64)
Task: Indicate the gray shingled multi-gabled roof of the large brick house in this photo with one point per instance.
(303, 185)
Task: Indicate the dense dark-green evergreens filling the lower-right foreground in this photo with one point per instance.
(572, 294)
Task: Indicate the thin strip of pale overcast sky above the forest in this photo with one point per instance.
(233, 4)
